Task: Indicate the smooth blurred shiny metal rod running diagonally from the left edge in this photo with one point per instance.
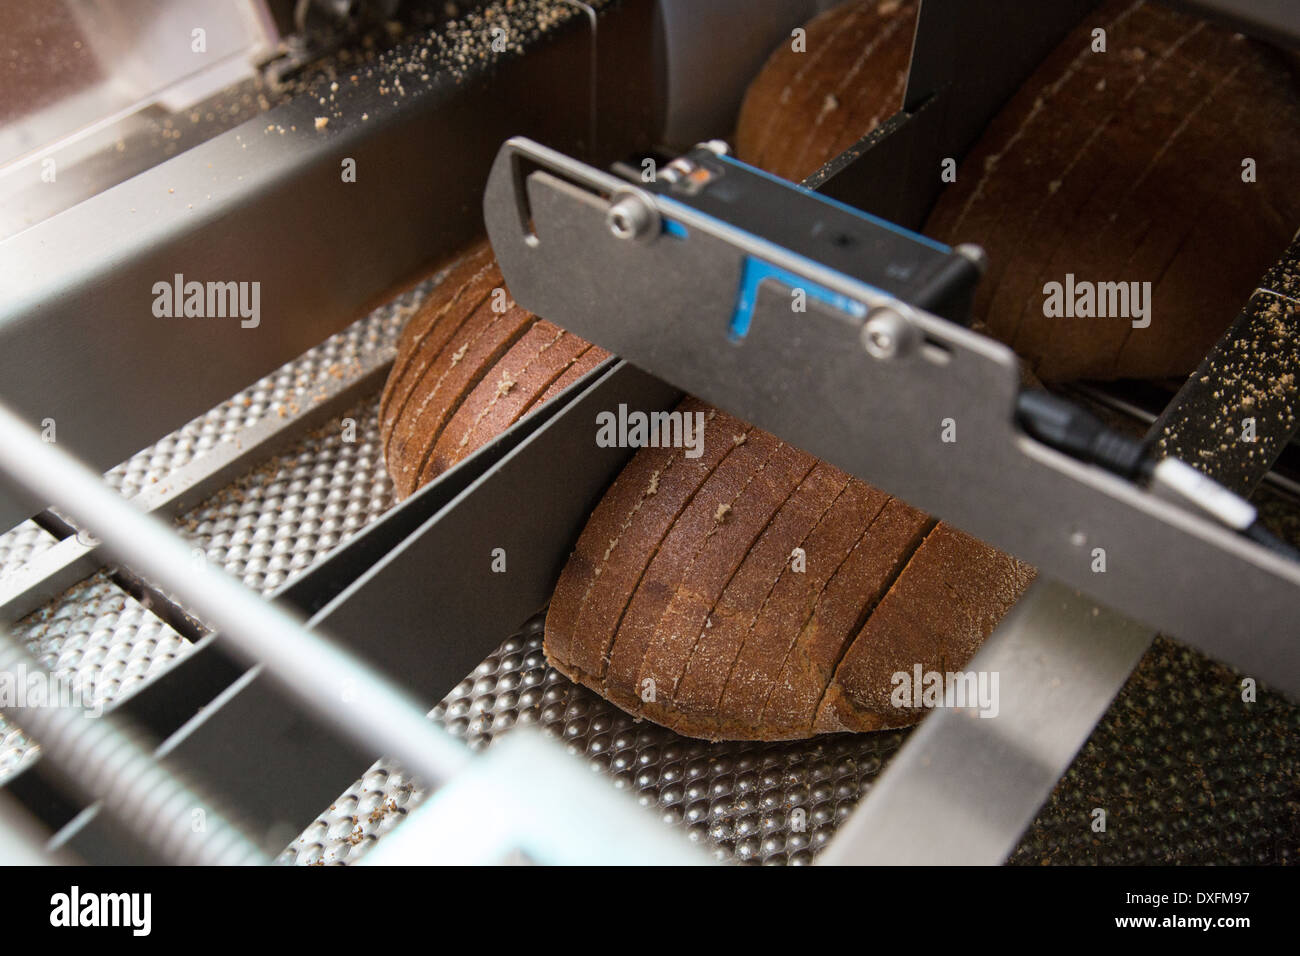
(336, 685)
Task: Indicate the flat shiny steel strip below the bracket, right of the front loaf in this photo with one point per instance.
(964, 789)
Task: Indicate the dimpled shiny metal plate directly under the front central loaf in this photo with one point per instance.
(752, 803)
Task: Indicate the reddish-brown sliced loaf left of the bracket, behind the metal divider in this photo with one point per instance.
(469, 366)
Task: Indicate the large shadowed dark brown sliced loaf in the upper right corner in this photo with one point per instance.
(1126, 166)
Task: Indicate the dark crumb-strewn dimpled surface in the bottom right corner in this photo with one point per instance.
(1186, 771)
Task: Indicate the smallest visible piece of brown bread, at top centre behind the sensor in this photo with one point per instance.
(805, 109)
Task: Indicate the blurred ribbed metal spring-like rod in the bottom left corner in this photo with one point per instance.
(107, 762)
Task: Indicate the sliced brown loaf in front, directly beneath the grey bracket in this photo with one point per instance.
(682, 603)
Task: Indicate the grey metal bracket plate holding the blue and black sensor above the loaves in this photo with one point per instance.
(664, 305)
